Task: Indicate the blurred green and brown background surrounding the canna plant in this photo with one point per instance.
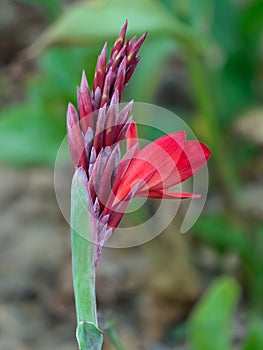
(202, 60)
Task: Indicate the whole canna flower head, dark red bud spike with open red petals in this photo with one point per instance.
(97, 131)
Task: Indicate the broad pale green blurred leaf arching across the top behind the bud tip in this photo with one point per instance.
(96, 21)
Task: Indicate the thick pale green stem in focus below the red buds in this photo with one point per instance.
(89, 336)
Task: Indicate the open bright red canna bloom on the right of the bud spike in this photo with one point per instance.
(150, 172)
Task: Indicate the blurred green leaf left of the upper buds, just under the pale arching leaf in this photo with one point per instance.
(60, 74)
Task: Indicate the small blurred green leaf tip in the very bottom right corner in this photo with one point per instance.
(254, 338)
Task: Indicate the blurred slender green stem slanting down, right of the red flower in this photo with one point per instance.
(208, 128)
